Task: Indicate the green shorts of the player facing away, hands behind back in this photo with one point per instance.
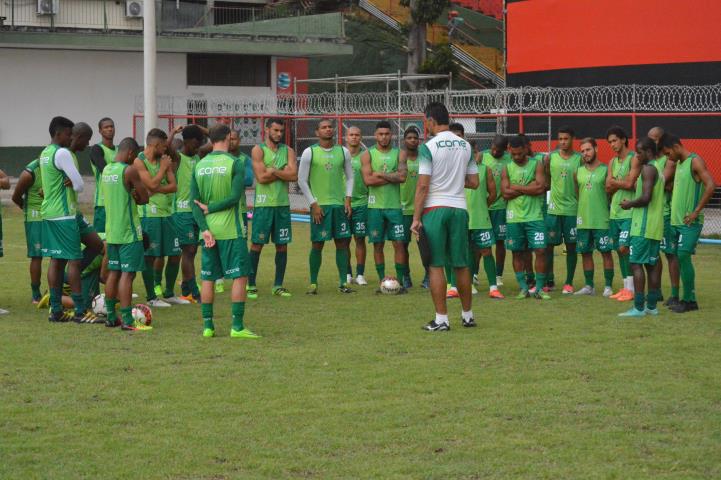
(227, 259)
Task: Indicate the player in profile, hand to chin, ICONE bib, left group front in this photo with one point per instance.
(123, 191)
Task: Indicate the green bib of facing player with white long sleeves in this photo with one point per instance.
(327, 175)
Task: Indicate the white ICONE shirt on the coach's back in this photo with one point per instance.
(447, 158)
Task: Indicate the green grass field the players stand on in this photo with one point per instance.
(350, 387)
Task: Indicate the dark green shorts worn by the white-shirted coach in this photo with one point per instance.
(447, 232)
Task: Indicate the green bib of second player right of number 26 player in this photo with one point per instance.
(592, 198)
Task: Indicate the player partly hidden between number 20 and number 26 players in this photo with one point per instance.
(496, 158)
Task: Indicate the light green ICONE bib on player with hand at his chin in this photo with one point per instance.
(122, 224)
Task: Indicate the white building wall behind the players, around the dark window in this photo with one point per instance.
(36, 85)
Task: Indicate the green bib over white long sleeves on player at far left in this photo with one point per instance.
(59, 201)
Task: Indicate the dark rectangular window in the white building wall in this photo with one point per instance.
(228, 70)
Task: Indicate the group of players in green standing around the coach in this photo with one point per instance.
(154, 206)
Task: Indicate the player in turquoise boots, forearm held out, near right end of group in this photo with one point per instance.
(646, 231)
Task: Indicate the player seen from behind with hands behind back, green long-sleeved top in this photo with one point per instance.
(218, 184)
